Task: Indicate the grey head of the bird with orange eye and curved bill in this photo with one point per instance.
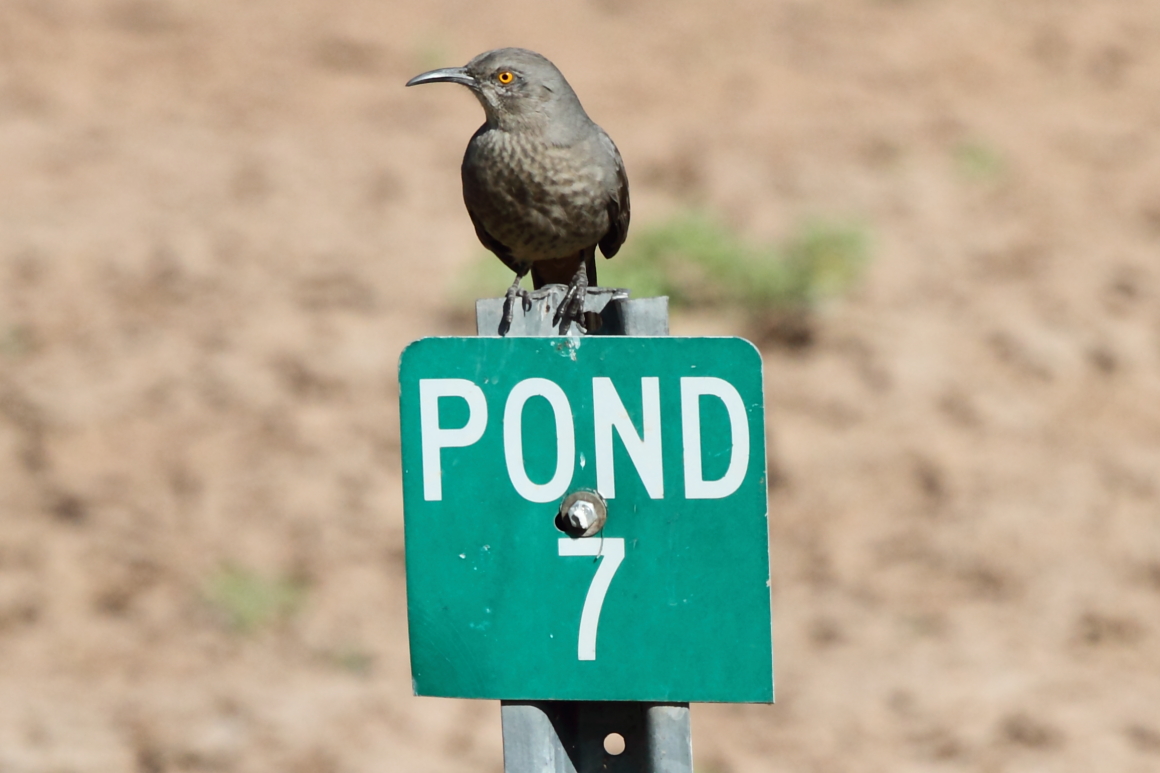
(518, 89)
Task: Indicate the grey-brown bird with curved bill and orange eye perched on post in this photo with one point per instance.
(542, 183)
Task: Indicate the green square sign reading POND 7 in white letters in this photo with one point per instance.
(670, 602)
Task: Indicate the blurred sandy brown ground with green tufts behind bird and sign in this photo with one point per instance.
(221, 223)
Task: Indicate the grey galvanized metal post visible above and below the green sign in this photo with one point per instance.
(569, 736)
